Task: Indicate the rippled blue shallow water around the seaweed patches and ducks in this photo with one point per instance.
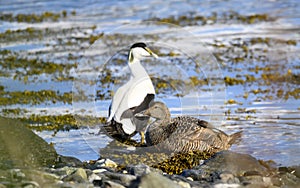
(271, 132)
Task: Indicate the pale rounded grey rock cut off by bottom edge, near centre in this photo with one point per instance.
(153, 179)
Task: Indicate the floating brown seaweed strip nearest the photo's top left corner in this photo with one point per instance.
(35, 18)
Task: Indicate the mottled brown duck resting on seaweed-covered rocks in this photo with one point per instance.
(184, 134)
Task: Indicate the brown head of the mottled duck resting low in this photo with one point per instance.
(157, 110)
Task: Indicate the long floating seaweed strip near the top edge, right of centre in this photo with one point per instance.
(229, 17)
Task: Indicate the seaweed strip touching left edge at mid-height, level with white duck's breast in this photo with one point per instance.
(34, 97)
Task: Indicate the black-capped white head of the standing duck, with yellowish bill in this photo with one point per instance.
(138, 51)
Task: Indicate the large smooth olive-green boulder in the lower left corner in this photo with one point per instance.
(20, 147)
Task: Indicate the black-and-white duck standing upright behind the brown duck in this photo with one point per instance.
(131, 98)
